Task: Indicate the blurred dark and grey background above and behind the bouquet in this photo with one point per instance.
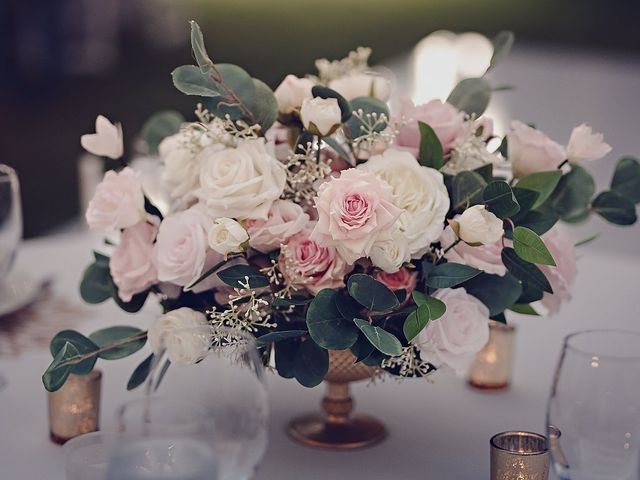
(64, 61)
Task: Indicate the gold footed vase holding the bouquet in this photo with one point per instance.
(336, 427)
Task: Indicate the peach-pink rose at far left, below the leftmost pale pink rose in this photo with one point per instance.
(131, 264)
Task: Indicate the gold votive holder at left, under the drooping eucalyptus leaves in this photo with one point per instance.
(74, 409)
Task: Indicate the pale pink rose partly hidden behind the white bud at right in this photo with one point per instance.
(484, 257)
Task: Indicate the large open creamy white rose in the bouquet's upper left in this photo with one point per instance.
(241, 182)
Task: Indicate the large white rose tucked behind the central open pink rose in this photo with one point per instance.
(419, 191)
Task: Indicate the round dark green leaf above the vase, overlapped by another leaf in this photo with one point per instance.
(327, 327)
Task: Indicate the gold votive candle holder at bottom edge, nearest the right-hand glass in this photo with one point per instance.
(519, 456)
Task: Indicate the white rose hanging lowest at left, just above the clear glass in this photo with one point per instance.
(184, 335)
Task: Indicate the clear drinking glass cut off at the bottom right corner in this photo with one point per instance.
(593, 414)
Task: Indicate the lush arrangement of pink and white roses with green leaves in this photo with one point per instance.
(317, 219)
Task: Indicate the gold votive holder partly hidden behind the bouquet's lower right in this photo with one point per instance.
(493, 365)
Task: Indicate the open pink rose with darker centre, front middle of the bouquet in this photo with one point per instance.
(354, 211)
